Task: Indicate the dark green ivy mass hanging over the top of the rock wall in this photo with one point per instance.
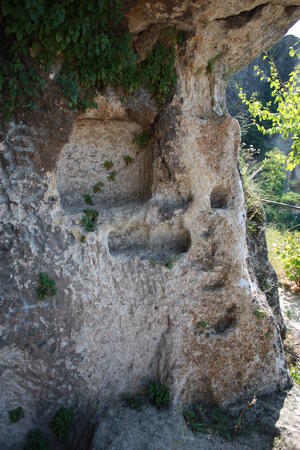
(90, 38)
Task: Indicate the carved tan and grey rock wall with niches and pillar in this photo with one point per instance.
(161, 290)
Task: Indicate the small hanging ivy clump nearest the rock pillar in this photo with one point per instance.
(158, 72)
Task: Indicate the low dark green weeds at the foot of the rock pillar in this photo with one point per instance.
(212, 420)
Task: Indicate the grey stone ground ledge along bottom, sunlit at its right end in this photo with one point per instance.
(273, 423)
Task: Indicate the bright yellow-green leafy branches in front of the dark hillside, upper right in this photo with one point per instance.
(283, 113)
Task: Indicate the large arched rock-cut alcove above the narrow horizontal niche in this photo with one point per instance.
(101, 159)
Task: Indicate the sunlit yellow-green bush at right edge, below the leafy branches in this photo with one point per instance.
(289, 253)
